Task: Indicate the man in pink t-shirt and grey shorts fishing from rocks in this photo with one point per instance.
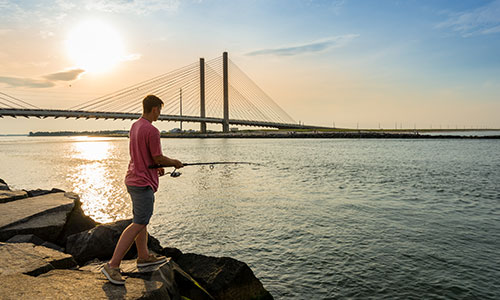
(142, 183)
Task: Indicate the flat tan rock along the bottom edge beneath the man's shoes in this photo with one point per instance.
(75, 284)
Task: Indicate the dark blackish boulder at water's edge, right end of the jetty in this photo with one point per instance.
(224, 277)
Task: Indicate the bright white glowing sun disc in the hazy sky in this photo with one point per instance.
(95, 46)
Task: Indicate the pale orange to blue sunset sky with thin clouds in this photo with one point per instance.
(343, 63)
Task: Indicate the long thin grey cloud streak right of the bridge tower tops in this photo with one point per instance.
(313, 47)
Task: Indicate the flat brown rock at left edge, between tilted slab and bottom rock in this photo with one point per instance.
(27, 258)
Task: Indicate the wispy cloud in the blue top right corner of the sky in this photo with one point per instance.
(480, 21)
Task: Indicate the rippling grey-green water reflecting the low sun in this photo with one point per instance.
(320, 219)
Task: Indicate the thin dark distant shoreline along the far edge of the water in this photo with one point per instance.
(338, 133)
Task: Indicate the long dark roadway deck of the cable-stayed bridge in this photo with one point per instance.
(79, 114)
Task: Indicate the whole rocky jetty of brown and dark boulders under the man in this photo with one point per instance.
(51, 249)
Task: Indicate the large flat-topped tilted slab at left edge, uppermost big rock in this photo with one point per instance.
(44, 216)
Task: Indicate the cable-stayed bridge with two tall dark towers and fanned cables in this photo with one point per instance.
(216, 91)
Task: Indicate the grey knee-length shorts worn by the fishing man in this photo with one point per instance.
(143, 199)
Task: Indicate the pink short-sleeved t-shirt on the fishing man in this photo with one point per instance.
(144, 145)
